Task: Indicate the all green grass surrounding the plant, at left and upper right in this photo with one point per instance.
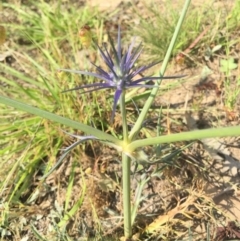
(43, 39)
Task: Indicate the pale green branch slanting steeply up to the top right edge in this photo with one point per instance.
(135, 130)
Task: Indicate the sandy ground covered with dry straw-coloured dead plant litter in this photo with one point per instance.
(200, 187)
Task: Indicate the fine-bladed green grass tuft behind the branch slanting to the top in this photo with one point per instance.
(156, 30)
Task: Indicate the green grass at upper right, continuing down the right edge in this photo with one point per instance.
(156, 30)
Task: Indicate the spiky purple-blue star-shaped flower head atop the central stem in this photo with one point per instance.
(121, 71)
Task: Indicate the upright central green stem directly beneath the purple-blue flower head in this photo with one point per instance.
(126, 168)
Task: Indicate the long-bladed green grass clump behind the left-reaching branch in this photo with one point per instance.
(41, 39)
